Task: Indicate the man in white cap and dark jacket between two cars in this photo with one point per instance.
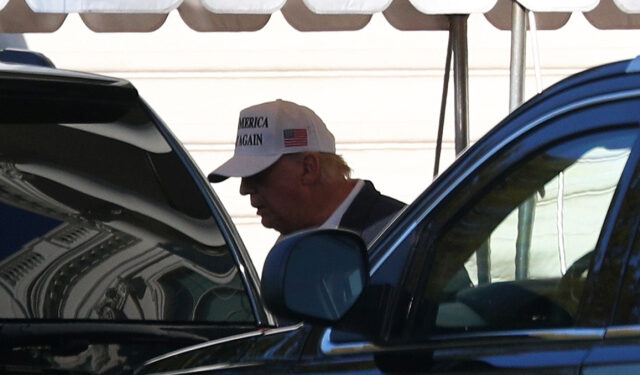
(286, 158)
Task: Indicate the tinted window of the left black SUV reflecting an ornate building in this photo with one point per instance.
(102, 221)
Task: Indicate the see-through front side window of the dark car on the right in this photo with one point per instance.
(536, 228)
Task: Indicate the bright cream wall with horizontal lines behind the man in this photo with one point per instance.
(377, 89)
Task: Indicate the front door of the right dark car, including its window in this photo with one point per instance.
(513, 262)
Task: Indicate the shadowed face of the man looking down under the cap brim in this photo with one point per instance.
(276, 193)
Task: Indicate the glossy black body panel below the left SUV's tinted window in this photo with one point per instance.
(94, 347)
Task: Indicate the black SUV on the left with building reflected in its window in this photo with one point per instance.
(114, 247)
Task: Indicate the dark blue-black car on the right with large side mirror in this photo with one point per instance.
(521, 258)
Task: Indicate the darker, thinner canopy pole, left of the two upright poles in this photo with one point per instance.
(461, 80)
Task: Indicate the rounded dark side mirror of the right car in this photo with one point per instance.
(315, 276)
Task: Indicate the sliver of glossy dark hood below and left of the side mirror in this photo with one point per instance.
(249, 349)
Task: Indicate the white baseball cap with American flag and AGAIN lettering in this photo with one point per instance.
(269, 130)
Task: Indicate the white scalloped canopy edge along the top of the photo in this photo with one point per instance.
(23, 16)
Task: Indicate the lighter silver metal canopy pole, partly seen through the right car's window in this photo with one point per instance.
(526, 211)
